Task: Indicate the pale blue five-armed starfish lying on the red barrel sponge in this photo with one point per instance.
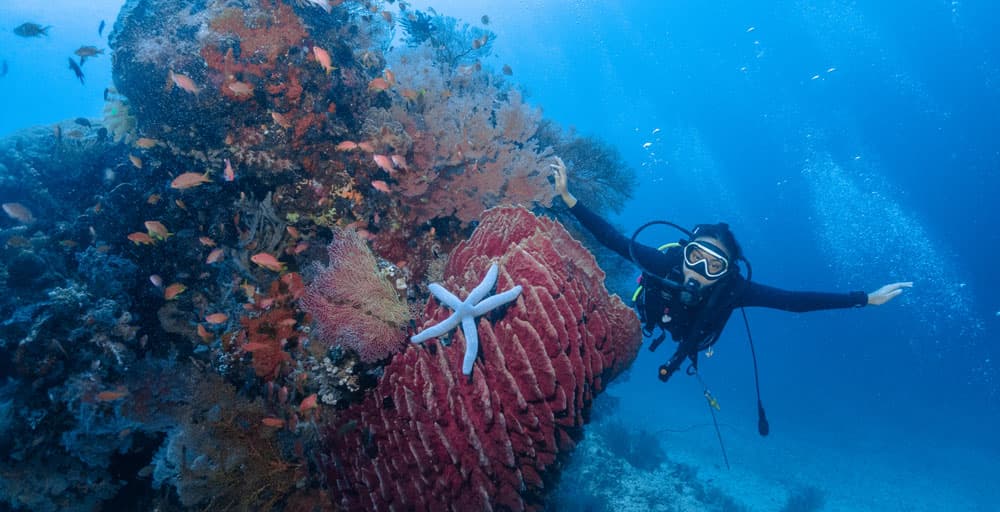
(466, 312)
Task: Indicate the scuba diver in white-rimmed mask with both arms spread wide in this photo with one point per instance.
(690, 288)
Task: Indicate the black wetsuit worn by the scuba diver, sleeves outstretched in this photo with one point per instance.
(741, 292)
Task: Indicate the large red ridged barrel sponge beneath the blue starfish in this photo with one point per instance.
(427, 438)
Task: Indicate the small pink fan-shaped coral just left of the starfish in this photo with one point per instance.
(352, 304)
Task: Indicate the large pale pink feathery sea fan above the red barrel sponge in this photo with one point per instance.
(473, 145)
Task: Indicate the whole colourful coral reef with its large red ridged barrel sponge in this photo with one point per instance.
(157, 338)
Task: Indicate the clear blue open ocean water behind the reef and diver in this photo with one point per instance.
(849, 145)
